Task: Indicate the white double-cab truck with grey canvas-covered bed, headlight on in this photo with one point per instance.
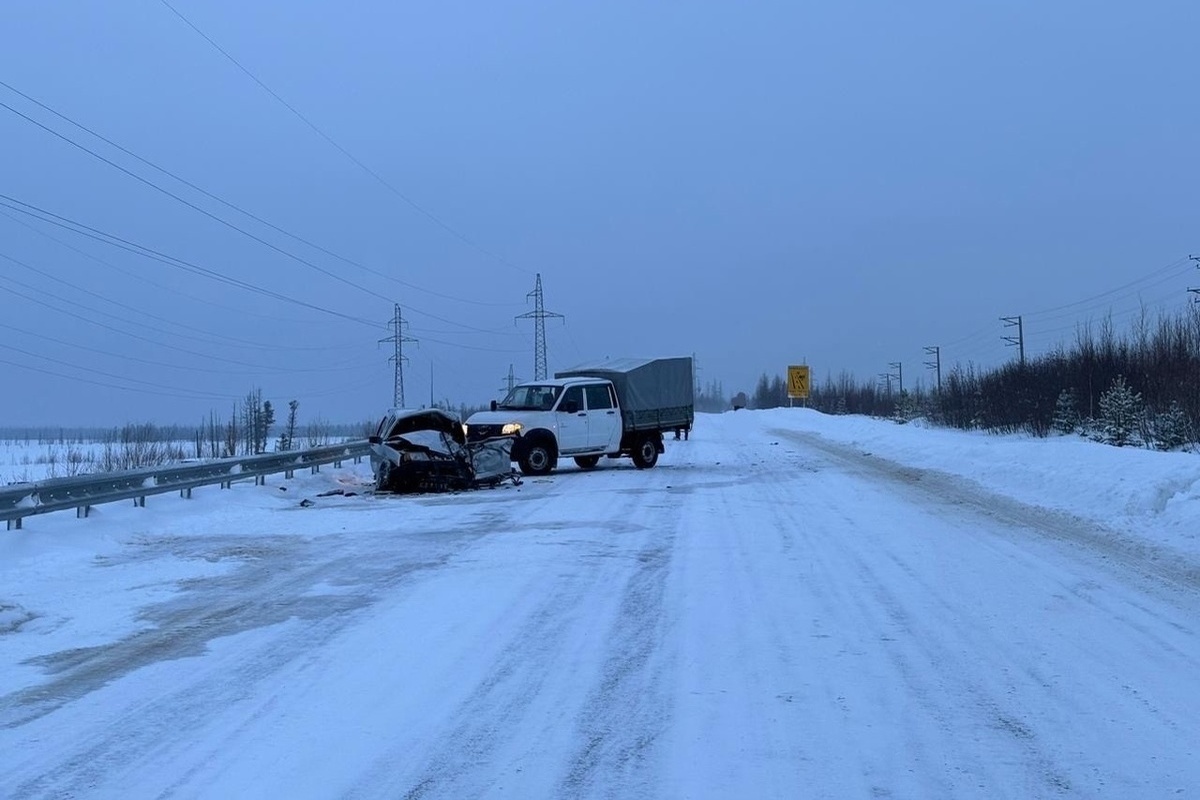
(613, 408)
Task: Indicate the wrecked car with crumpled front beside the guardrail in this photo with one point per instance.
(425, 450)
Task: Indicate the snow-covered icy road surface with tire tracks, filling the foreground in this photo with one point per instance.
(766, 615)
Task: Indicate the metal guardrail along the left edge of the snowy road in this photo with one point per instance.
(82, 492)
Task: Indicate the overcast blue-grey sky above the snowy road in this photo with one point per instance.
(757, 184)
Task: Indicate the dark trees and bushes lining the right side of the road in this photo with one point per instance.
(1142, 387)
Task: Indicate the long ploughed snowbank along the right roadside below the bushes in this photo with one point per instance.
(1153, 495)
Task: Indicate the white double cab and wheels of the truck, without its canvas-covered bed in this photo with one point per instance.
(579, 418)
